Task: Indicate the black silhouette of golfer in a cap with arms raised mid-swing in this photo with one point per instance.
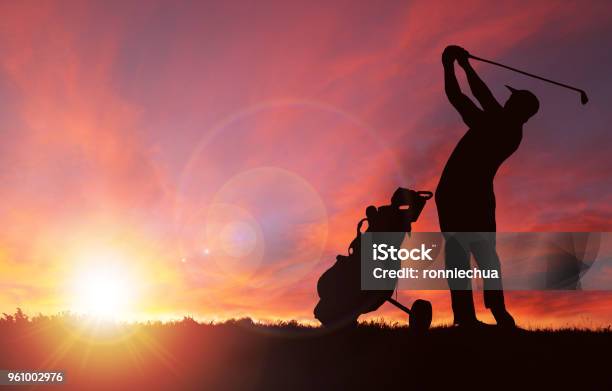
(464, 197)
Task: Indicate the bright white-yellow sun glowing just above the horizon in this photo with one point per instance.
(104, 289)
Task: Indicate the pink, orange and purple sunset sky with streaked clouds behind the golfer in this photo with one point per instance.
(212, 158)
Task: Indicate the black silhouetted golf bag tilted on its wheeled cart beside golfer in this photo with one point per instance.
(342, 300)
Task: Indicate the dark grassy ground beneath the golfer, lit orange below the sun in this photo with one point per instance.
(241, 355)
